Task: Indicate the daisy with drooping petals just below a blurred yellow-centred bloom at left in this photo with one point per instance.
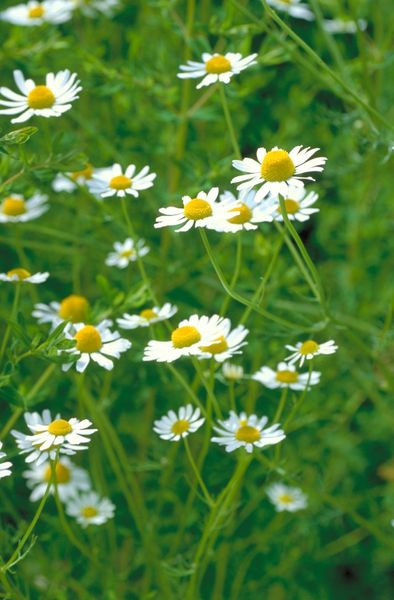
(97, 343)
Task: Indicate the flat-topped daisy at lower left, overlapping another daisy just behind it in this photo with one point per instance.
(60, 432)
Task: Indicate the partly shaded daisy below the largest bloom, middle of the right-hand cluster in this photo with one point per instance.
(246, 212)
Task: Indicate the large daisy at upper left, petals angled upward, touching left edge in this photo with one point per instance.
(49, 100)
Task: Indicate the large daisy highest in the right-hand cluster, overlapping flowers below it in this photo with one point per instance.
(277, 170)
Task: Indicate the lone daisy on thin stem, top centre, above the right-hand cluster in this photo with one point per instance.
(216, 67)
